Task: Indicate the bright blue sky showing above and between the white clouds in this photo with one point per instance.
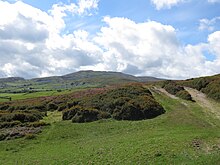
(184, 17)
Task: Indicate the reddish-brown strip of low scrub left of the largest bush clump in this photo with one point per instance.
(50, 103)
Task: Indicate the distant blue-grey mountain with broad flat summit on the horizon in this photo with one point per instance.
(78, 79)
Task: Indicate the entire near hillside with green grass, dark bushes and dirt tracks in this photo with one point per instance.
(188, 133)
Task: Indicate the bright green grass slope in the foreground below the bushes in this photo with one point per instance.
(167, 139)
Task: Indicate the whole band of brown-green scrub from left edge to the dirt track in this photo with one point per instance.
(131, 102)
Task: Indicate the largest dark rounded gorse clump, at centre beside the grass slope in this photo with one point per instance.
(124, 103)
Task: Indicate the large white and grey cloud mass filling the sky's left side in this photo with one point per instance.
(32, 43)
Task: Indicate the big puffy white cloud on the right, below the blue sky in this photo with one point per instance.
(151, 48)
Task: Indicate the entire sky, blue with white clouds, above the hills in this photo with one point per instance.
(175, 39)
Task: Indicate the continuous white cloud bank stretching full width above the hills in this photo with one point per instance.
(32, 44)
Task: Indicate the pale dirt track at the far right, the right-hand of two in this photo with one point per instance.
(203, 101)
